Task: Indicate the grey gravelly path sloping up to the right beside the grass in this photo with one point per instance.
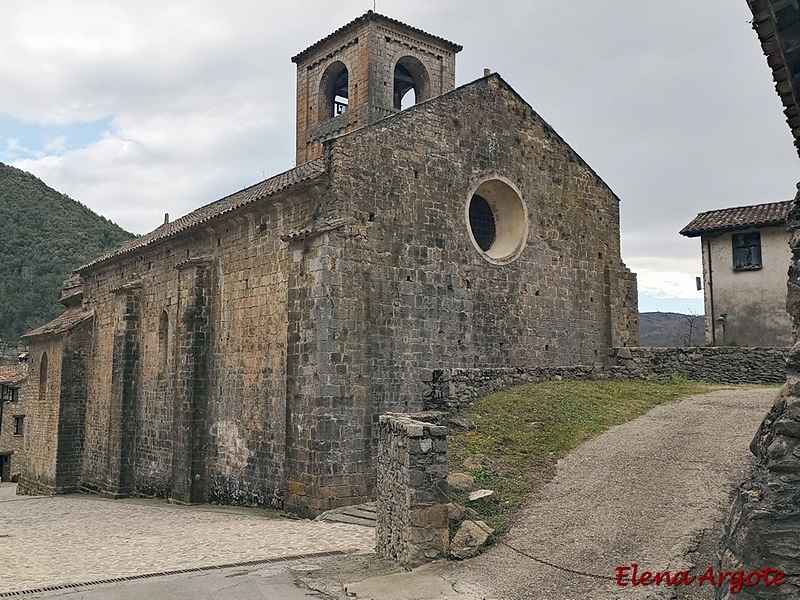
(642, 493)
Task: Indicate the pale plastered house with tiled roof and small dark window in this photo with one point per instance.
(746, 257)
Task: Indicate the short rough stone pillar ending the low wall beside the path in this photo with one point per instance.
(412, 525)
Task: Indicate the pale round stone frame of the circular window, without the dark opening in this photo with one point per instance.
(510, 218)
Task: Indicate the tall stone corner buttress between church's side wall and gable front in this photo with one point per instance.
(329, 405)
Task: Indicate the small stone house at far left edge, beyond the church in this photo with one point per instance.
(12, 421)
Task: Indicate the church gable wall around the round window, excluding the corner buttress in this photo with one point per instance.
(433, 298)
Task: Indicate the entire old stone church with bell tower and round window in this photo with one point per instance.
(242, 354)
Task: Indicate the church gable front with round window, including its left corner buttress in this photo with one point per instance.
(402, 290)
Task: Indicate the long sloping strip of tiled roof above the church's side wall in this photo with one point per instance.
(268, 187)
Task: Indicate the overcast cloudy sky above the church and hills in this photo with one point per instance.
(140, 108)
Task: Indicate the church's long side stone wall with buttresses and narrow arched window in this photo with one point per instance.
(207, 353)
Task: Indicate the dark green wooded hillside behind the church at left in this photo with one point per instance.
(44, 235)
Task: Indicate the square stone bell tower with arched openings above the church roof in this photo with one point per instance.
(364, 72)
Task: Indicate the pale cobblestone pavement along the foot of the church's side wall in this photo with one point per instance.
(77, 538)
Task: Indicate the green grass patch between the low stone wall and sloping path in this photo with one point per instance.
(520, 433)
